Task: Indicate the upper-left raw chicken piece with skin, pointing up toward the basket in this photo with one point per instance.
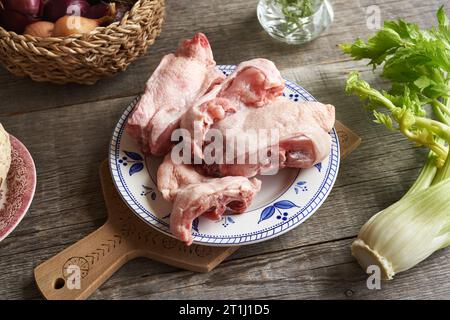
(178, 81)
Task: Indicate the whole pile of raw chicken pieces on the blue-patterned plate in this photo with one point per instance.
(187, 91)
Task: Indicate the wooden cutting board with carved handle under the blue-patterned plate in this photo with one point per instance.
(124, 237)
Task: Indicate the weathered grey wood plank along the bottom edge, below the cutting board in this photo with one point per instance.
(325, 271)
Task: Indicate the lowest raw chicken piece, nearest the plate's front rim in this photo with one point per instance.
(193, 195)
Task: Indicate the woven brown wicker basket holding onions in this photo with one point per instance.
(84, 58)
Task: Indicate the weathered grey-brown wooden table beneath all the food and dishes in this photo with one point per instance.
(67, 129)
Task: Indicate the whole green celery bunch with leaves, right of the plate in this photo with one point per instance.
(416, 61)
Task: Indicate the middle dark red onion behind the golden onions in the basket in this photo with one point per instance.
(55, 9)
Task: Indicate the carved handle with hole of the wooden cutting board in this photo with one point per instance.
(80, 269)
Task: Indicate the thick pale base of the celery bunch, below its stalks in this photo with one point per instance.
(407, 232)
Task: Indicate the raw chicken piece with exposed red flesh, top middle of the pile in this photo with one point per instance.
(254, 83)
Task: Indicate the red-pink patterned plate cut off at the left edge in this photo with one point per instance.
(18, 191)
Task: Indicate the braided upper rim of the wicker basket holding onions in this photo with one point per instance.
(123, 24)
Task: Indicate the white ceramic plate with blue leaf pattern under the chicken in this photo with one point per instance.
(284, 202)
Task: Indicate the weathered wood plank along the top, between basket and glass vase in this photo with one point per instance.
(223, 22)
